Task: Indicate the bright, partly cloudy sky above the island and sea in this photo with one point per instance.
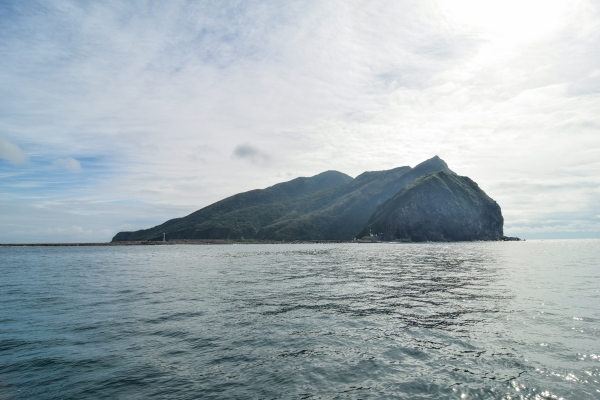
(120, 115)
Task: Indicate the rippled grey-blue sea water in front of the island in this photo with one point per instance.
(451, 320)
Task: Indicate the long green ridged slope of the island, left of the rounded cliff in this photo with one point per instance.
(327, 206)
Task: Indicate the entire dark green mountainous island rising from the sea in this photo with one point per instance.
(333, 206)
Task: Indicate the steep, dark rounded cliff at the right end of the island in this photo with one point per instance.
(438, 207)
